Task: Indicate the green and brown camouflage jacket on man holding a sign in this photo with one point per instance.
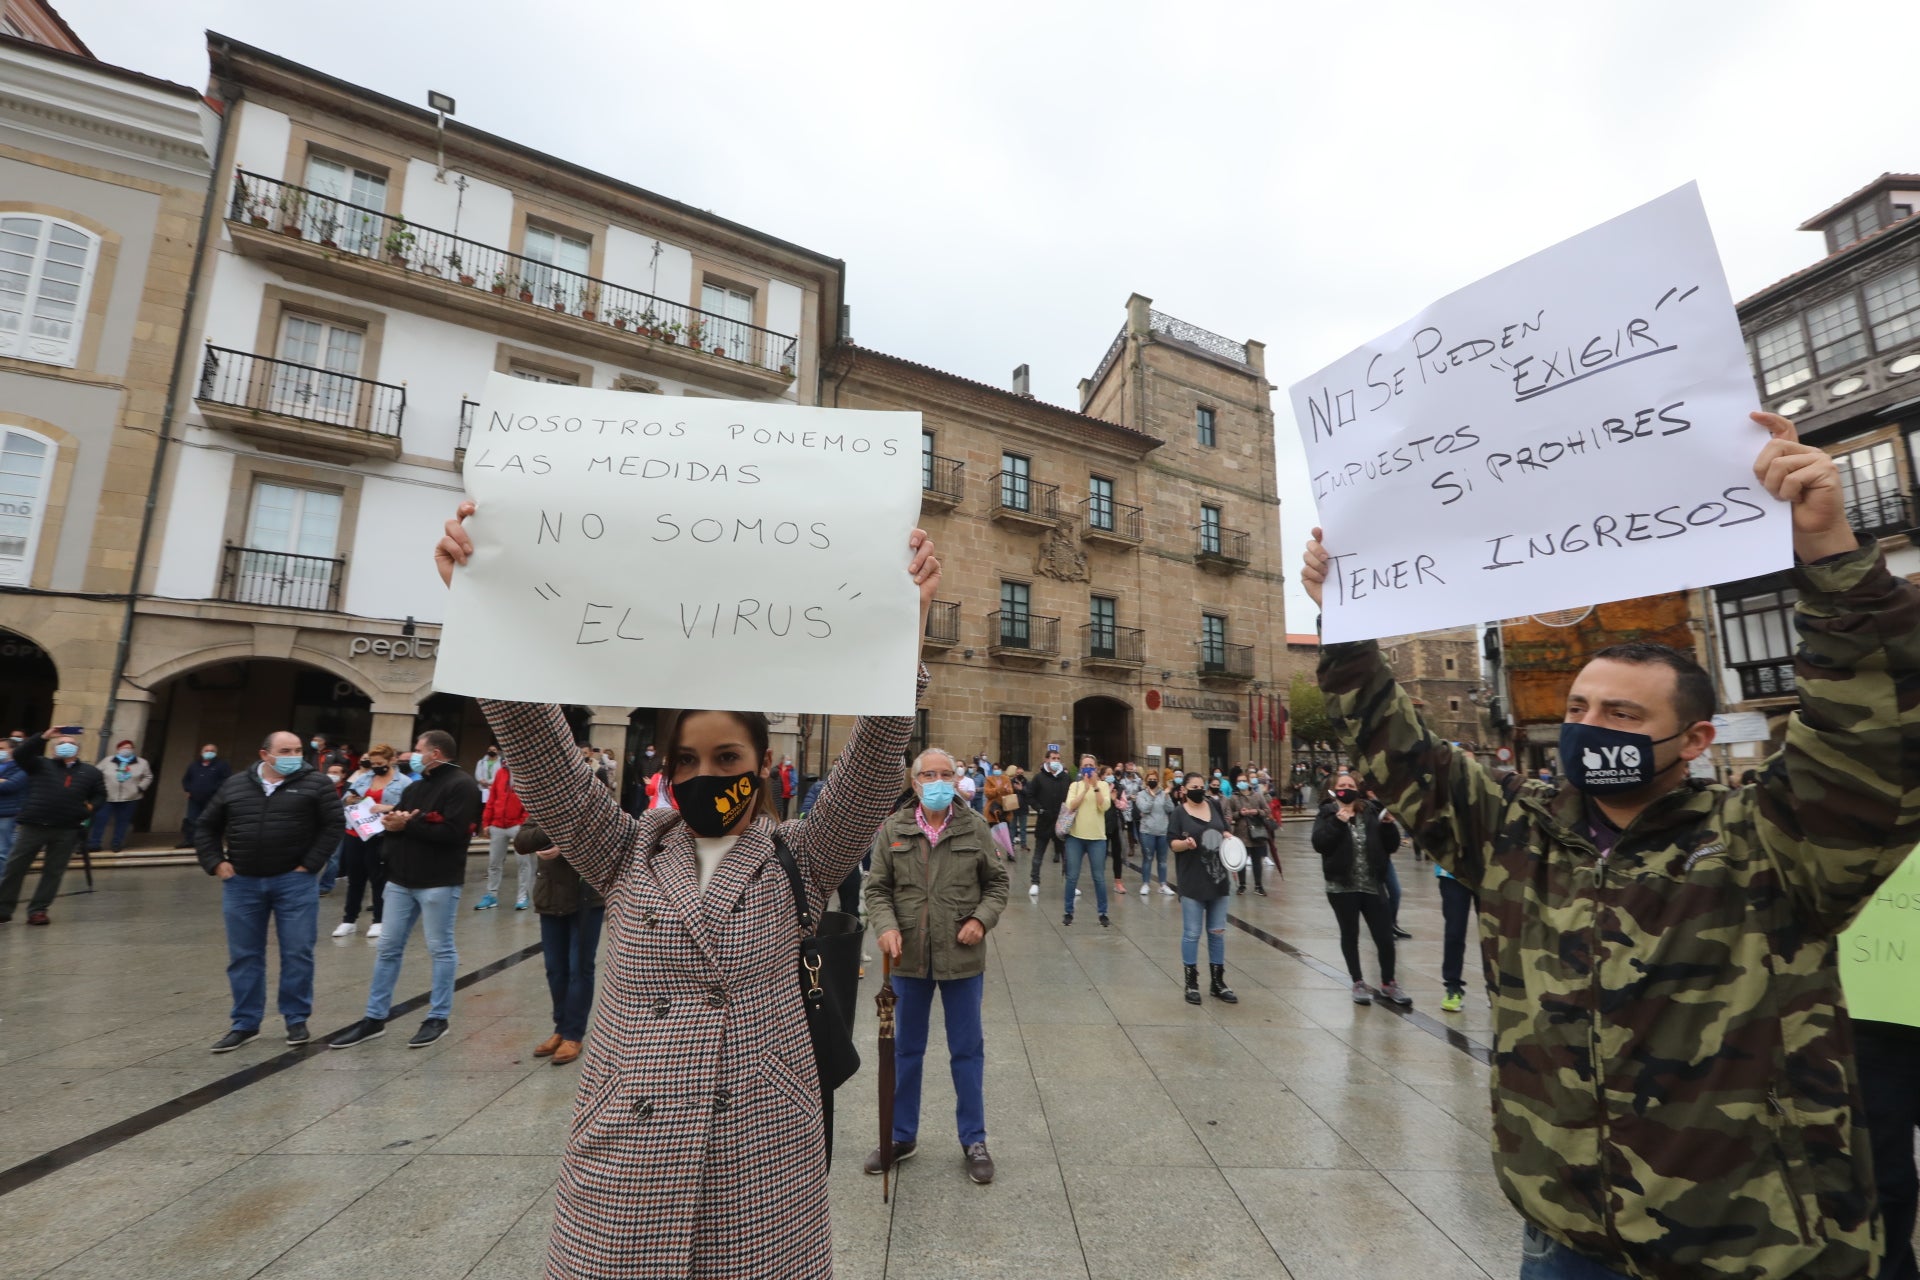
(1673, 1072)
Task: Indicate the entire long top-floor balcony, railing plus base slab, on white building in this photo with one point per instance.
(302, 227)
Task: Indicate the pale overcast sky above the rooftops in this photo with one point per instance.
(999, 178)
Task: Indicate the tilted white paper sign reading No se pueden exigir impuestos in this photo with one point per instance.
(1566, 433)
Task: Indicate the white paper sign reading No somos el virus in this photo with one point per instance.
(677, 552)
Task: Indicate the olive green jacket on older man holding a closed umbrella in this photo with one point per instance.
(928, 891)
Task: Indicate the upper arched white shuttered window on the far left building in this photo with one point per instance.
(47, 268)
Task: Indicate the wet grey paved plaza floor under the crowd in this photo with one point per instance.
(1291, 1135)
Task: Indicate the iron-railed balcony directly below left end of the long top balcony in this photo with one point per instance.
(283, 402)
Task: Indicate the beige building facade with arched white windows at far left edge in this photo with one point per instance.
(103, 191)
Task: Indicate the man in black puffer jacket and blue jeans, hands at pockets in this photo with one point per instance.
(268, 834)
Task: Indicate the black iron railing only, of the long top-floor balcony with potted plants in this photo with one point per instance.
(381, 237)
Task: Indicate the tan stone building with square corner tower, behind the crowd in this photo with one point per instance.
(1113, 573)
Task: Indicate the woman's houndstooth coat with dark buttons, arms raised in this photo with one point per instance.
(696, 1145)
